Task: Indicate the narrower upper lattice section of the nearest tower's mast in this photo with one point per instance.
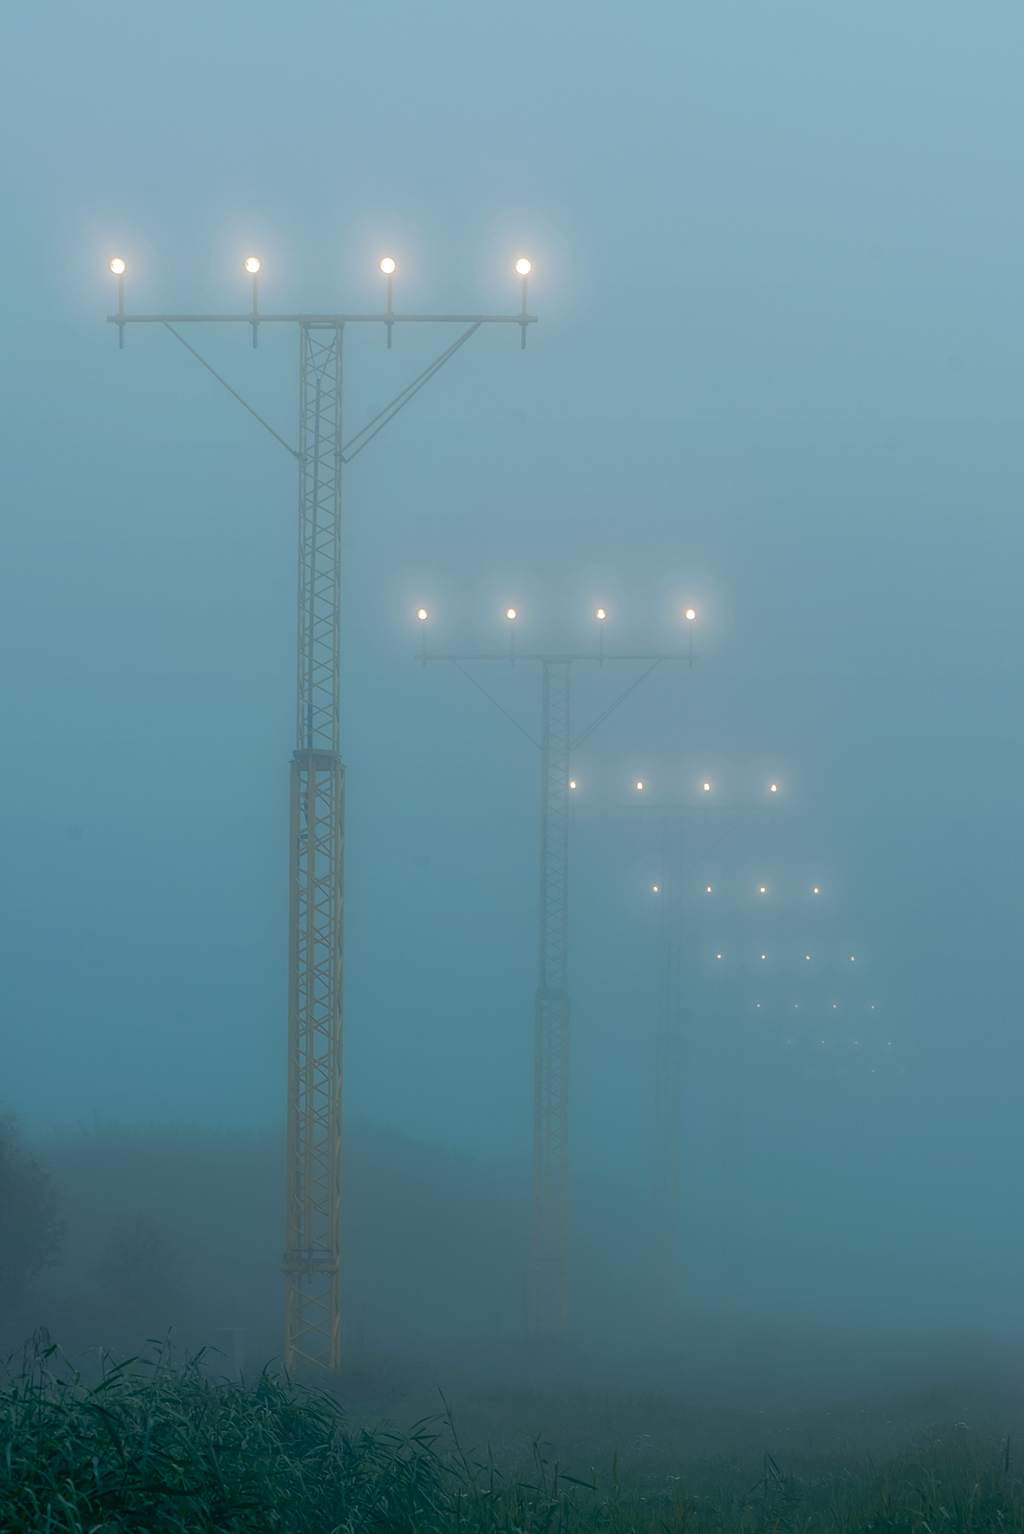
(320, 536)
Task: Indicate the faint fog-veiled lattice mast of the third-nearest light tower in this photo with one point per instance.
(669, 1065)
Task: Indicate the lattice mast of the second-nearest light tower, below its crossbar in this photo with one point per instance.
(551, 1081)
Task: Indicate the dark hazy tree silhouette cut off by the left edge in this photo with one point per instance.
(31, 1225)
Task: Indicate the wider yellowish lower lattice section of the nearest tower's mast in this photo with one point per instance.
(315, 1061)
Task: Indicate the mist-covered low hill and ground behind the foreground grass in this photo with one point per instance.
(176, 1234)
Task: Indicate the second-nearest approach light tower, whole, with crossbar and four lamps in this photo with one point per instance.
(550, 1266)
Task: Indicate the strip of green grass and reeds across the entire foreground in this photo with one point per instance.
(168, 1449)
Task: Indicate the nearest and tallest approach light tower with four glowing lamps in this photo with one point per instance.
(312, 1263)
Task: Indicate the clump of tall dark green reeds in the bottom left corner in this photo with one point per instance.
(166, 1449)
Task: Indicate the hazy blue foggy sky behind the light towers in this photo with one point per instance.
(778, 374)
